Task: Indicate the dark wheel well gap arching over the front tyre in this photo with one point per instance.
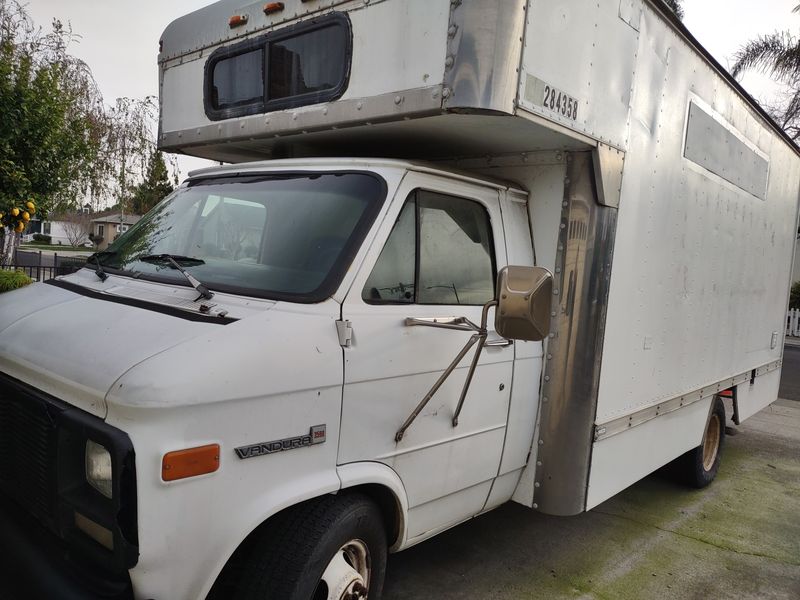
(231, 572)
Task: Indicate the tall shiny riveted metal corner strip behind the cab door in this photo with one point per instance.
(572, 366)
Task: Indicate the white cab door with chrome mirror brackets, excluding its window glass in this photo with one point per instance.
(390, 367)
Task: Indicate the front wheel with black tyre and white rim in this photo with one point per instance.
(332, 548)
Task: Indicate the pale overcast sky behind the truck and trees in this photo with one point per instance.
(119, 40)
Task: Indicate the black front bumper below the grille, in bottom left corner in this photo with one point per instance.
(36, 564)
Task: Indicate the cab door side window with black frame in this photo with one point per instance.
(440, 251)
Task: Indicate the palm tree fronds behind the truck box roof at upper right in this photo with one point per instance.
(778, 55)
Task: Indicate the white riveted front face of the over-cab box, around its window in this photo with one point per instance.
(397, 72)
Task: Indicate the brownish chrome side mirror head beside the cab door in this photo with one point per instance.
(524, 295)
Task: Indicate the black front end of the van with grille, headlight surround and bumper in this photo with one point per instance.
(45, 552)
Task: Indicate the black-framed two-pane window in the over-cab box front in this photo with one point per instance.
(296, 66)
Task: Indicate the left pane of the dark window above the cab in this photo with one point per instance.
(238, 80)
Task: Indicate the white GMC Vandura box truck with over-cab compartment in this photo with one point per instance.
(465, 253)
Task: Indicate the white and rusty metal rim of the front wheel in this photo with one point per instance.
(347, 575)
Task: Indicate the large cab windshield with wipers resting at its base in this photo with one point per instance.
(282, 236)
